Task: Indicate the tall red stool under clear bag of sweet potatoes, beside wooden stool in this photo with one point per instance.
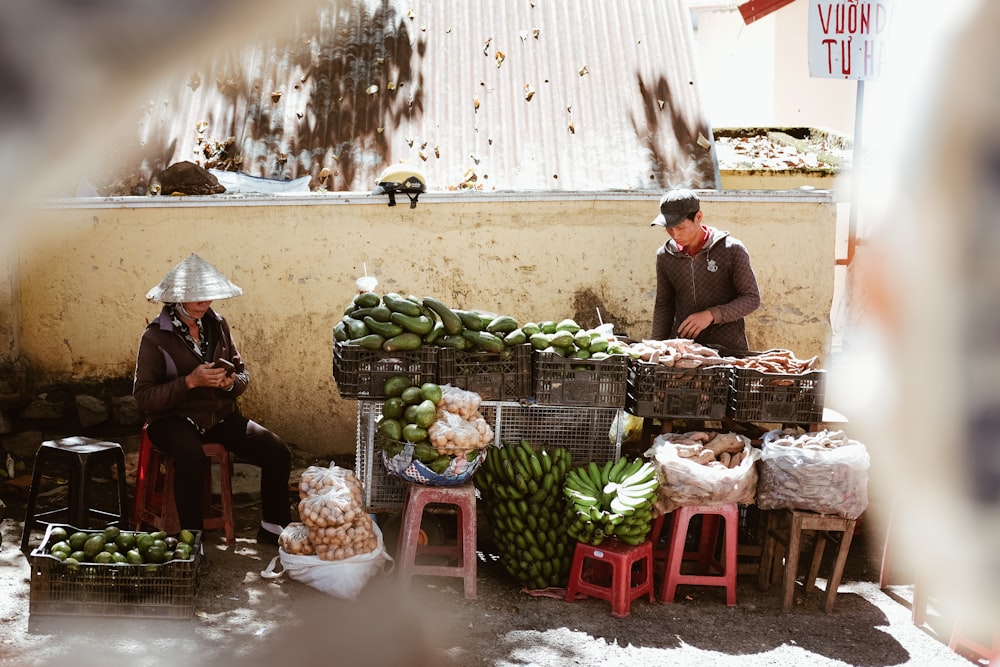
(704, 557)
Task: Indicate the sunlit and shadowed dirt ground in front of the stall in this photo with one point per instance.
(242, 615)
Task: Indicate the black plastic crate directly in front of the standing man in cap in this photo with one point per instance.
(655, 390)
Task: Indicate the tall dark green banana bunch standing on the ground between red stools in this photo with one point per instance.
(521, 490)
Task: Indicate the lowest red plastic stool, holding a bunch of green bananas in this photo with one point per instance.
(622, 558)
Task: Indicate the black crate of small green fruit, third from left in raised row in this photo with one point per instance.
(562, 381)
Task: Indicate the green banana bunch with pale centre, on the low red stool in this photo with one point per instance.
(613, 500)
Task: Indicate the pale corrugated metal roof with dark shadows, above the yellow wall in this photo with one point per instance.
(494, 95)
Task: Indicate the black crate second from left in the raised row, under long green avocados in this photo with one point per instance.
(495, 376)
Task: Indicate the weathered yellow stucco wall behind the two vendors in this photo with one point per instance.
(84, 267)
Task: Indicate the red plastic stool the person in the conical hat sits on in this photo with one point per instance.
(154, 491)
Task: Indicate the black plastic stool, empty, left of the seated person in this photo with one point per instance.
(80, 455)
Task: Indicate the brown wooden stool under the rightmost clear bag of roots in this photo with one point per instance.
(791, 540)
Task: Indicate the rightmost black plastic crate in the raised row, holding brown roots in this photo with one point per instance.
(778, 398)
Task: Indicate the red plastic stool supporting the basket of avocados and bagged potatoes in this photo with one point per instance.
(418, 497)
